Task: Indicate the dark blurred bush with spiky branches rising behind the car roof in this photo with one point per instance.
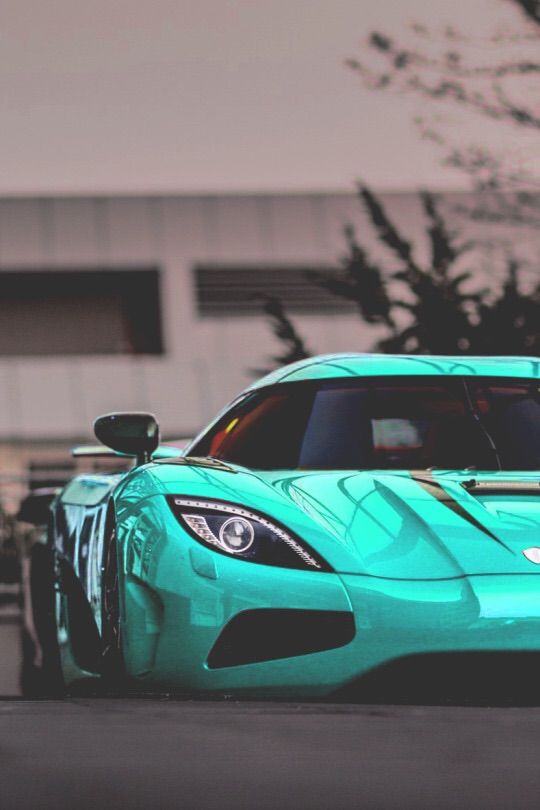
(426, 309)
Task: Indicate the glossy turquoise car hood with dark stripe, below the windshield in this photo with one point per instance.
(398, 524)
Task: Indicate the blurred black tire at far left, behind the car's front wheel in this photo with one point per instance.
(41, 679)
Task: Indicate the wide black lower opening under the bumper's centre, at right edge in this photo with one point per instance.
(460, 678)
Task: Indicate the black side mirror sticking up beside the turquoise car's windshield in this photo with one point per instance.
(132, 434)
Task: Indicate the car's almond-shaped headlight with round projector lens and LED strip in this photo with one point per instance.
(241, 533)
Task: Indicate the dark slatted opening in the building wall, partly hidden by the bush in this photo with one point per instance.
(233, 290)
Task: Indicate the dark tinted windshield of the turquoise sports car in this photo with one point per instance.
(383, 423)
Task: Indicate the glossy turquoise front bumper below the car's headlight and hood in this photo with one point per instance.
(178, 597)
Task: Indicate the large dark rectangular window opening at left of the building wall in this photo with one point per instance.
(91, 311)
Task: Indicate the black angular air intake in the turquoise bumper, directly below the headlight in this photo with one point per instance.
(266, 634)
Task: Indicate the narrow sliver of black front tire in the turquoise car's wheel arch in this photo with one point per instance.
(113, 670)
